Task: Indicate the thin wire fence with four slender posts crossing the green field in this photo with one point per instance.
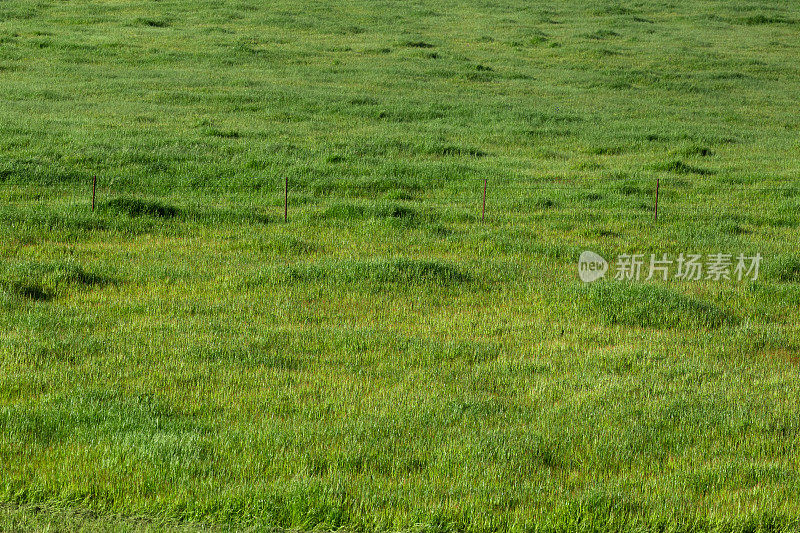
(481, 199)
